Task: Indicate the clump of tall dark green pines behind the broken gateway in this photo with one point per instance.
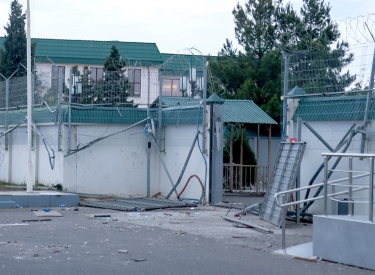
(265, 29)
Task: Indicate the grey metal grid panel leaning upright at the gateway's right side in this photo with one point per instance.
(283, 177)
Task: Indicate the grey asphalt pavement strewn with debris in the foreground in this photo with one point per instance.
(179, 241)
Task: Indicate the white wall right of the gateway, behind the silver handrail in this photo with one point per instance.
(332, 132)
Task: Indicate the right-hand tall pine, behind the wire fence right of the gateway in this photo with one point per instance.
(321, 57)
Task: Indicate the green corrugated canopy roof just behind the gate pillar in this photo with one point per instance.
(235, 111)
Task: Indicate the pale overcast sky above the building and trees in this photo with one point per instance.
(174, 25)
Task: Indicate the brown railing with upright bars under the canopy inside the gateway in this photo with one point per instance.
(245, 178)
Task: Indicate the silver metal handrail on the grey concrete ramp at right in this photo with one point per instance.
(350, 185)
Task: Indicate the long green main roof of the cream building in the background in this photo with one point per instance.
(94, 52)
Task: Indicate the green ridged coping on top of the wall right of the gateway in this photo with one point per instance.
(341, 108)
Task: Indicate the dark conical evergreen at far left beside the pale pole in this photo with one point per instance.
(14, 51)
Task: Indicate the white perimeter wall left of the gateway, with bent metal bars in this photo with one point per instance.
(114, 166)
